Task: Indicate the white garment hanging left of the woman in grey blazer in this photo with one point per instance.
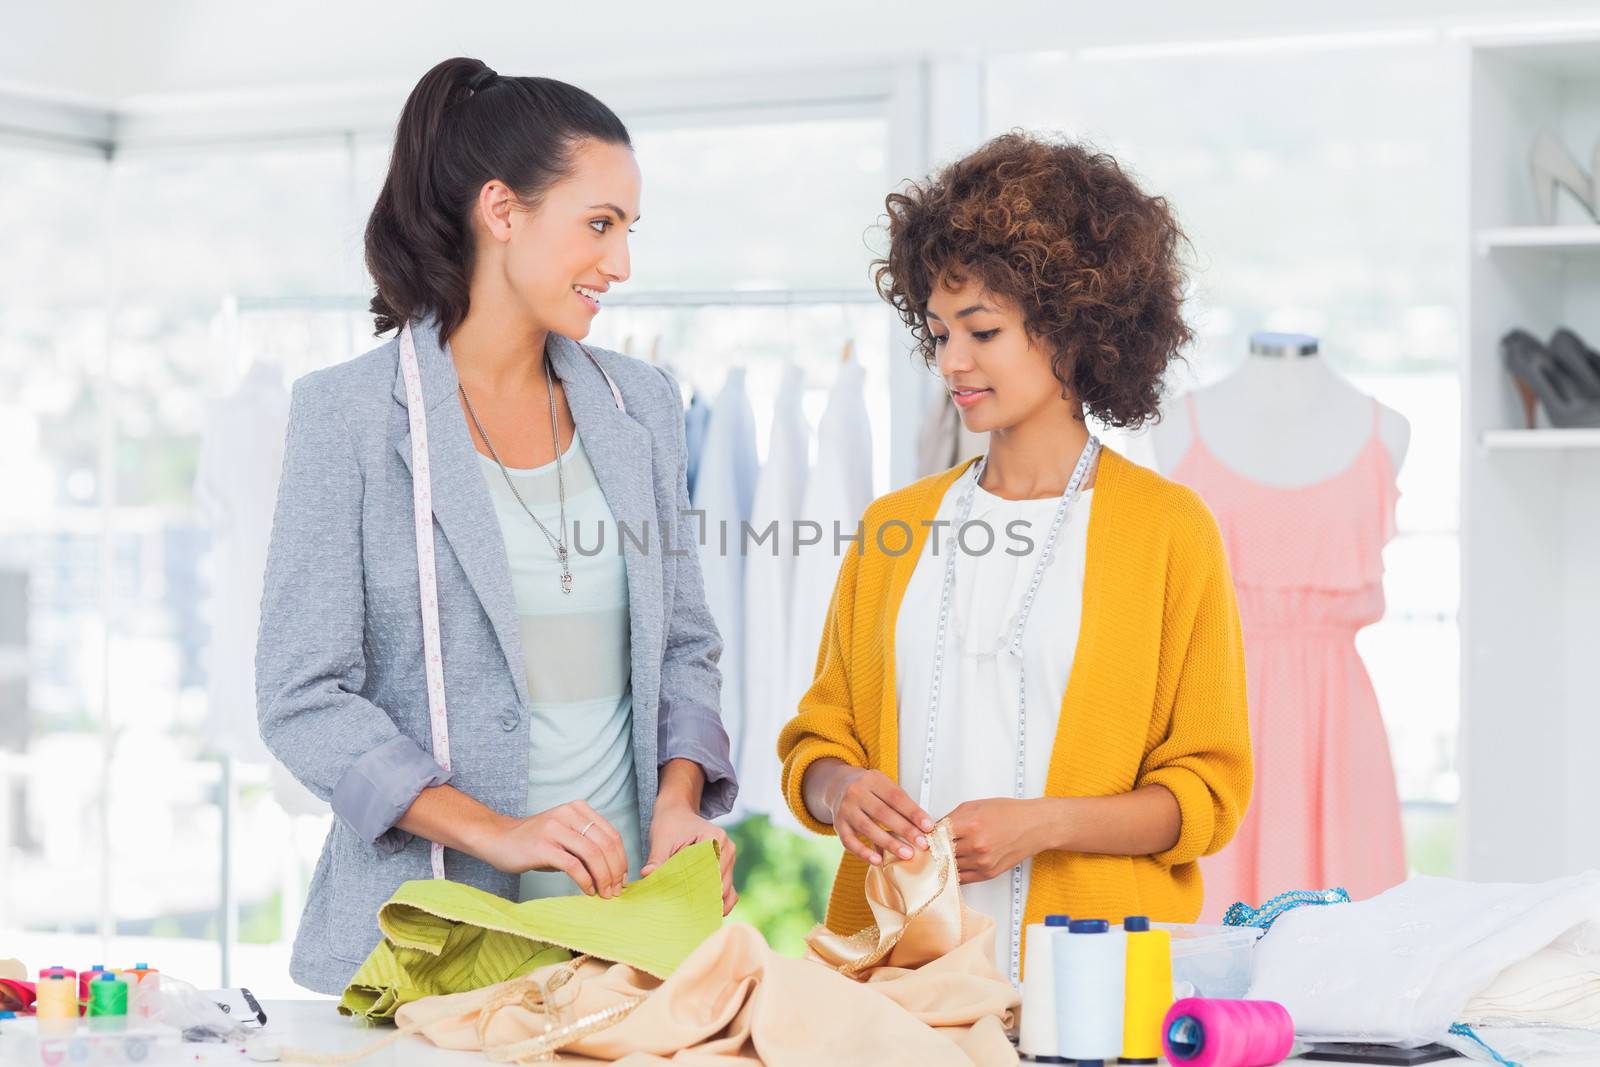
(236, 490)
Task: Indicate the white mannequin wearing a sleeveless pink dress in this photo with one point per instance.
(1300, 468)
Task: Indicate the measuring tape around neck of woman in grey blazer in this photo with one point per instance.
(428, 581)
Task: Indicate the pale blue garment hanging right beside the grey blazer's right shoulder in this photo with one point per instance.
(726, 490)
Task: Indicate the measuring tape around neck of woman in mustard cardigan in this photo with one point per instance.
(1015, 647)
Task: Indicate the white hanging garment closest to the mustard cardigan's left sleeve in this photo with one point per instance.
(838, 494)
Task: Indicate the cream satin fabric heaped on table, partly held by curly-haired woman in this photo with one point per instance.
(921, 986)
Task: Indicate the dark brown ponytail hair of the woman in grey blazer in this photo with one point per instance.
(462, 127)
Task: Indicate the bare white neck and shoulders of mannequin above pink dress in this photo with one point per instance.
(1284, 418)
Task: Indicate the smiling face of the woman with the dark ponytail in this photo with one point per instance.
(559, 258)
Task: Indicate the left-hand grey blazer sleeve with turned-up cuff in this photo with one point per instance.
(310, 650)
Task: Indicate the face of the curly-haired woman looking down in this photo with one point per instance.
(996, 372)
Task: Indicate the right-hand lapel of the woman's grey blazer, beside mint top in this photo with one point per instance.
(620, 454)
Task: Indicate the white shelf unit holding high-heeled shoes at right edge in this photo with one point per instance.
(1530, 554)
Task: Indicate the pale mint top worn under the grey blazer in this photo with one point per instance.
(582, 722)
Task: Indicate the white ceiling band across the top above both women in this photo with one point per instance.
(113, 52)
